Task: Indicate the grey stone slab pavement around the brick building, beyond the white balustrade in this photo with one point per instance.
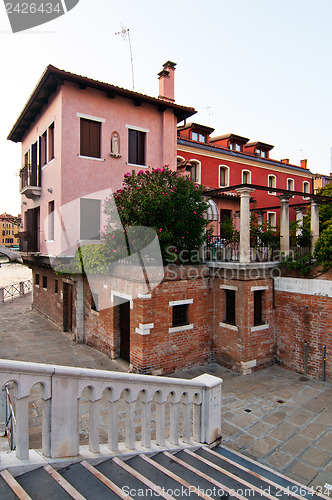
(274, 416)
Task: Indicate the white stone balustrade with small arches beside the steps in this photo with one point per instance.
(199, 400)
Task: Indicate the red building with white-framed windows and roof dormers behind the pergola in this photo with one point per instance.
(231, 160)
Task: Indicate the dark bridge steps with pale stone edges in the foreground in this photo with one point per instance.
(208, 474)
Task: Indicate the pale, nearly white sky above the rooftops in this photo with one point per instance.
(258, 68)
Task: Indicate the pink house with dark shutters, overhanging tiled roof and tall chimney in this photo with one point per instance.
(79, 137)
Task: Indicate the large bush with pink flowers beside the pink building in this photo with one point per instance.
(173, 206)
